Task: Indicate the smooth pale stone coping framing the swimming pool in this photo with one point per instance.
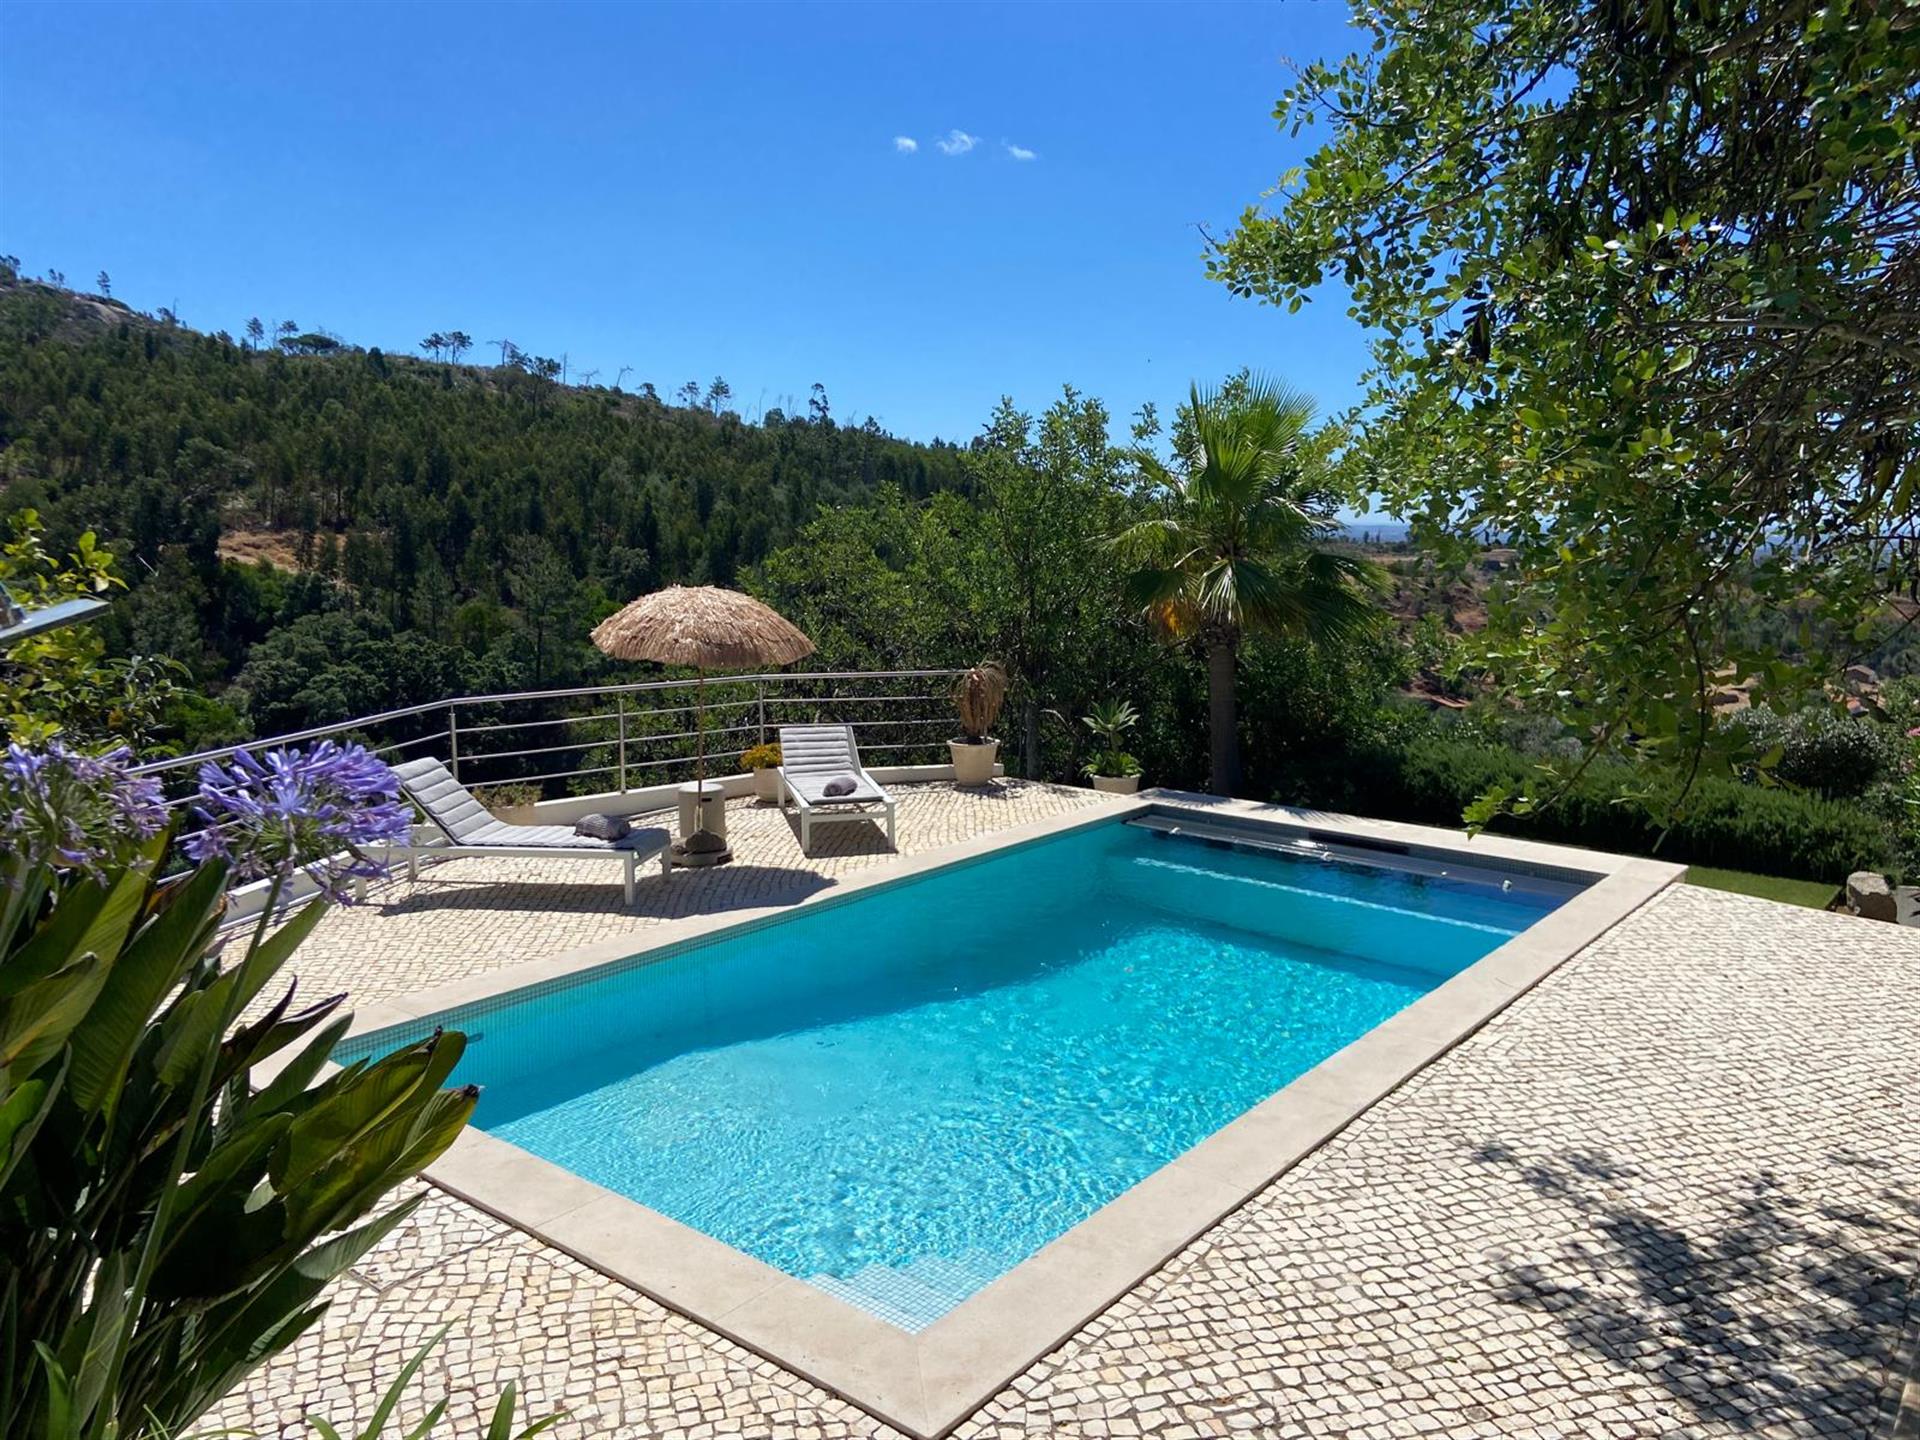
(926, 1383)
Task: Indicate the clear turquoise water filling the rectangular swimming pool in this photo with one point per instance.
(901, 1097)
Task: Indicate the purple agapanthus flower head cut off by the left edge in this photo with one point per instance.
(74, 811)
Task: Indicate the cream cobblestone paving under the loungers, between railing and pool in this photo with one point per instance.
(469, 917)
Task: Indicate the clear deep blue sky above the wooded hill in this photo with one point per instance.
(690, 191)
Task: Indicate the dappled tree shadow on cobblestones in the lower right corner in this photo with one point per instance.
(1779, 1310)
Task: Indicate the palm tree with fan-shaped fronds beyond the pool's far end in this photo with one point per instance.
(1237, 544)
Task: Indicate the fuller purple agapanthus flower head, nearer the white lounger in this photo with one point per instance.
(289, 809)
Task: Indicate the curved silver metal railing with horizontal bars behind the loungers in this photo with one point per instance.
(617, 738)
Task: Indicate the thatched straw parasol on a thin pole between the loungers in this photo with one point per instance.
(708, 629)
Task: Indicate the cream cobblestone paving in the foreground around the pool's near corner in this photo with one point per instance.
(1669, 1193)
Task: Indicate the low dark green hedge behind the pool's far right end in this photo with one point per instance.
(1723, 823)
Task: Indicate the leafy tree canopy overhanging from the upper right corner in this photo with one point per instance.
(1646, 277)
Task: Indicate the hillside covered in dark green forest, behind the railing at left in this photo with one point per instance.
(274, 506)
